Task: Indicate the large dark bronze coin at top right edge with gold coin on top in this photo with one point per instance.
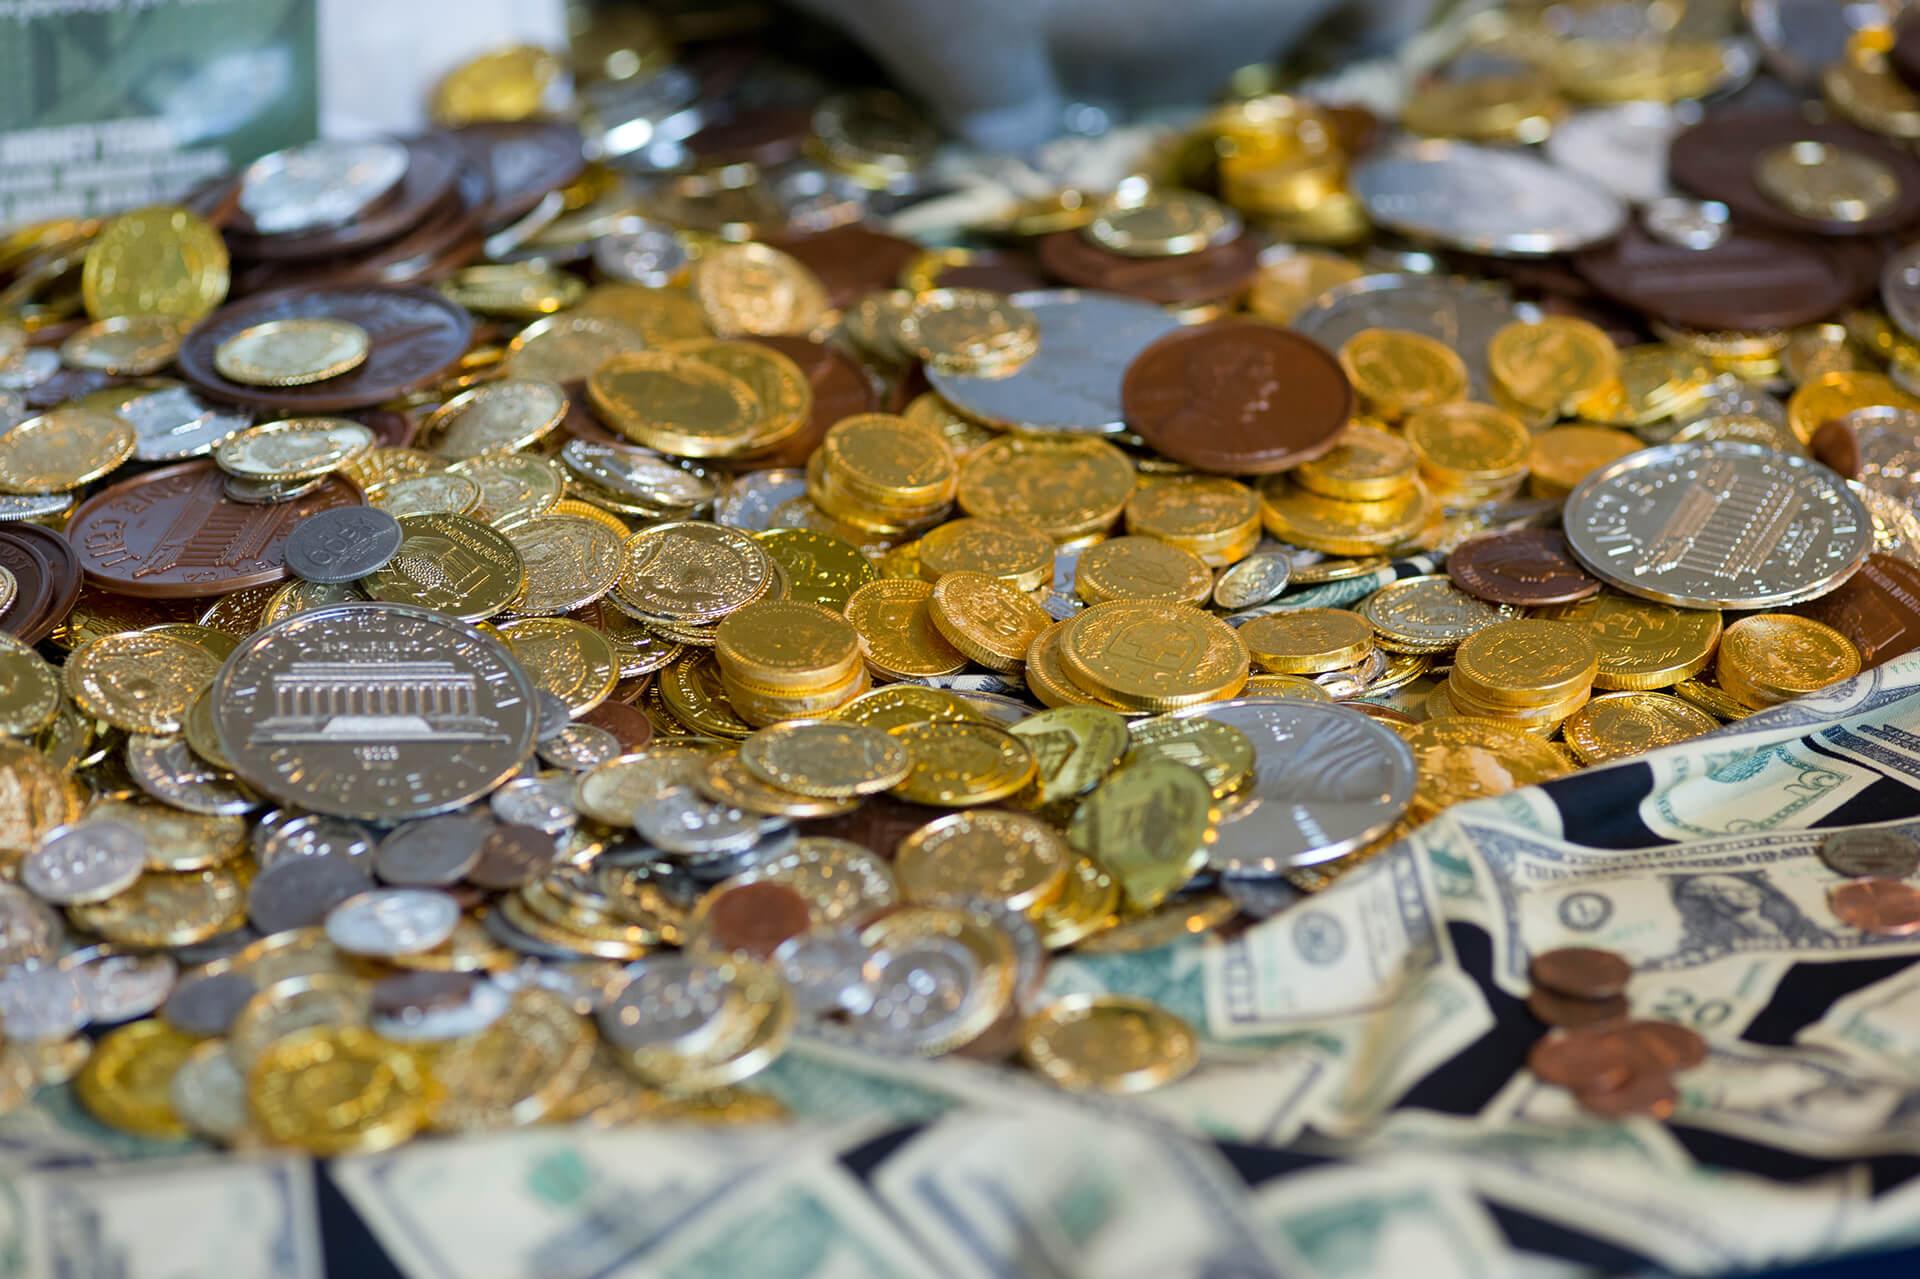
(1717, 160)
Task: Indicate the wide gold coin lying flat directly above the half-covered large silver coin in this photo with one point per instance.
(1153, 658)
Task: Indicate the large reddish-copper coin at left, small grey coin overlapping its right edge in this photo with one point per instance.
(176, 533)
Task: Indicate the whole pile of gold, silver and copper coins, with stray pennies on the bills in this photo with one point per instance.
(496, 637)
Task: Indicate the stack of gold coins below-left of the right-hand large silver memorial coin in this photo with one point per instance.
(1529, 673)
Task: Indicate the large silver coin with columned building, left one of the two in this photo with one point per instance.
(375, 713)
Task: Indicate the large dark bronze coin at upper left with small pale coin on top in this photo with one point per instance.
(416, 339)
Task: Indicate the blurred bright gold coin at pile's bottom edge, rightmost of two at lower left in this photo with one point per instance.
(337, 1090)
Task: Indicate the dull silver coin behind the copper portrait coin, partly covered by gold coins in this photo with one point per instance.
(1462, 314)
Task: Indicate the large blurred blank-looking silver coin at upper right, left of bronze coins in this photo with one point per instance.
(1485, 203)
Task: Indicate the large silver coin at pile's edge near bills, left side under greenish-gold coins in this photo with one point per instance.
(1328, 781)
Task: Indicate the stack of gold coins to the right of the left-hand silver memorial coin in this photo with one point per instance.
(788, 660)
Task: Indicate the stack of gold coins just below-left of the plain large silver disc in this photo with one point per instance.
(884, 475)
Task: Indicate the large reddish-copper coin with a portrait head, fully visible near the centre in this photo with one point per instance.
(1237, 398)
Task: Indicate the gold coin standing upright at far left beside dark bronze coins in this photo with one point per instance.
(160, 260)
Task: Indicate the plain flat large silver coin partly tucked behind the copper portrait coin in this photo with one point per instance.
(1070, 385)
